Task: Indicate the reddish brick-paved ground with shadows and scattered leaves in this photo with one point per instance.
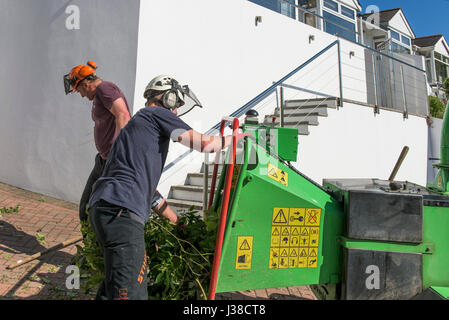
(41, 222)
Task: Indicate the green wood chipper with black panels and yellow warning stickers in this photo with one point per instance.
(348, 239)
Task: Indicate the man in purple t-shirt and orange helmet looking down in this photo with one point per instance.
(110, 113)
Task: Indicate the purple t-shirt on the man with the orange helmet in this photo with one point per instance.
(104, 129)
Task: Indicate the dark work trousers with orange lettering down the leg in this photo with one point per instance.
(122, 241)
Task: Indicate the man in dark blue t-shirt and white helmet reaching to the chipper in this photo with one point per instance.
(121, 199)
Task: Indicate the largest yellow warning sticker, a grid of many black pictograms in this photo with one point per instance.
(295, 238)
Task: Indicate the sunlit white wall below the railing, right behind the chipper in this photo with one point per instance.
(352, 142)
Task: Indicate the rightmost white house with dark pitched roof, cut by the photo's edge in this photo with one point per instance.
(436, 52)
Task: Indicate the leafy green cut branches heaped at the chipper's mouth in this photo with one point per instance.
(179, 259)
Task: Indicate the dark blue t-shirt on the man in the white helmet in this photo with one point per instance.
(137, 157)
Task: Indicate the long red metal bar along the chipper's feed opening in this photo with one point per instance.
(224, 211)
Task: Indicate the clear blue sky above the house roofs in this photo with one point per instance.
(426, 18)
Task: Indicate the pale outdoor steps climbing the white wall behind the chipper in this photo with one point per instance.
(297, 114)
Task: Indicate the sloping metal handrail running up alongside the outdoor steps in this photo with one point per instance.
(239, 112)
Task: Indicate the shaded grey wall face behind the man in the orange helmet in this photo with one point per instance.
(46, 137)
